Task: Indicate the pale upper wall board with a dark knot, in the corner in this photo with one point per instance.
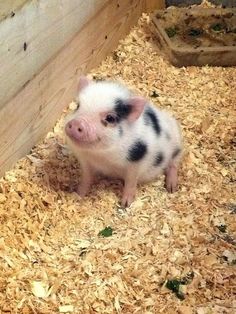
(32, 36)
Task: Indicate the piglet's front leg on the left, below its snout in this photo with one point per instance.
(87, 179)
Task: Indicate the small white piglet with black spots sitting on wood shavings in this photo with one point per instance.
(121, 135)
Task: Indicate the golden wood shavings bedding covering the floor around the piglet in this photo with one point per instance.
(53, 260)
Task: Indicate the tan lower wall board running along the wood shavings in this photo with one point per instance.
(32, 112)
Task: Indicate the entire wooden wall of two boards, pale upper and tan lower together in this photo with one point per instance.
(44, 46)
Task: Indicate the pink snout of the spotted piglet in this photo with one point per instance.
(80, 130)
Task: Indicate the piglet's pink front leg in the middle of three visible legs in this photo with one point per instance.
(130, 186)
